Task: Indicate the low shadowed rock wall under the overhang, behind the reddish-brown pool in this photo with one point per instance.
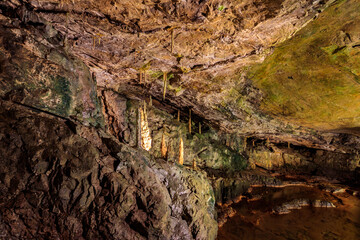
(289, 159)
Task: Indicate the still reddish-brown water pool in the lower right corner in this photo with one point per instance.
(322, 215)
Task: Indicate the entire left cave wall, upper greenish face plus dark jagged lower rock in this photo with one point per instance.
(62, 176)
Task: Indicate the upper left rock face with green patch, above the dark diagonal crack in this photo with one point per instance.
(38, 71)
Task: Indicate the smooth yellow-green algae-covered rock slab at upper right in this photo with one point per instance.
(313, 78)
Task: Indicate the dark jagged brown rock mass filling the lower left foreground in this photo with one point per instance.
(59, 180)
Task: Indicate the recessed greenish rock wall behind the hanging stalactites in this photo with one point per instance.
(208, 147)
